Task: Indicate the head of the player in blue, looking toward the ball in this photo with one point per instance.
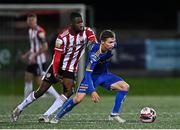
(108, 39)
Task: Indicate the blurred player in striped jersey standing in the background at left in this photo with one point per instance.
(36, 56)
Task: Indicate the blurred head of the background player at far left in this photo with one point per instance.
(32, 20)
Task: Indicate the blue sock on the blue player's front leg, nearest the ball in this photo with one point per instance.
(120, 96)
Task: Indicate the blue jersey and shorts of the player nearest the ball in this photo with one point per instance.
(96, 71)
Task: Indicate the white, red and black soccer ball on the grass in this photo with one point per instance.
(147, 115)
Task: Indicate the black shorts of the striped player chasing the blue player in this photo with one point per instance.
(49, 76)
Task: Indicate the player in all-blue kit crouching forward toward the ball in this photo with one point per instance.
(96, 73)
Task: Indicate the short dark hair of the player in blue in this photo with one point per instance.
(106, 34)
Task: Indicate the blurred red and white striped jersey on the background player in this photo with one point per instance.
(35, 43)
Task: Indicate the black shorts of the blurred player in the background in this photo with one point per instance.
(36, 69)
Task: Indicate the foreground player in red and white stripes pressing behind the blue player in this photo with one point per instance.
(69, 47)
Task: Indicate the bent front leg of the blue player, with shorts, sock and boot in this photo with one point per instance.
(114, 82)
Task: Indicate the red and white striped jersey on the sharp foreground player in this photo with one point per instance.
(72, 46)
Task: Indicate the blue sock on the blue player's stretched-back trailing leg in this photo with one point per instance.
(65, 108)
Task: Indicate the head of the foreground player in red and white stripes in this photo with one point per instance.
(76, 22)
